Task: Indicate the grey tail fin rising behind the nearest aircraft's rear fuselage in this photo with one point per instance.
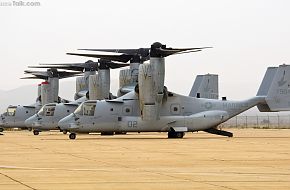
(205, 86)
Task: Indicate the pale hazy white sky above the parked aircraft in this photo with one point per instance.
(247, 36)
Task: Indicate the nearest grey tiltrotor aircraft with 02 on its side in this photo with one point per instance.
(151, 108)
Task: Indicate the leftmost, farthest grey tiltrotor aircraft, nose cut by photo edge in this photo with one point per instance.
(15, 116)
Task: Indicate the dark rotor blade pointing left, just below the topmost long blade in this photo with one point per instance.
(121, 58)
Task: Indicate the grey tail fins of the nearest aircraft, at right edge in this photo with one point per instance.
(276, 87)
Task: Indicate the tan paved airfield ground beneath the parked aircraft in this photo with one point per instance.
(252, 159)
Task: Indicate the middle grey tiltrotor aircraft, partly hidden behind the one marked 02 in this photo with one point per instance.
(95, 86)
